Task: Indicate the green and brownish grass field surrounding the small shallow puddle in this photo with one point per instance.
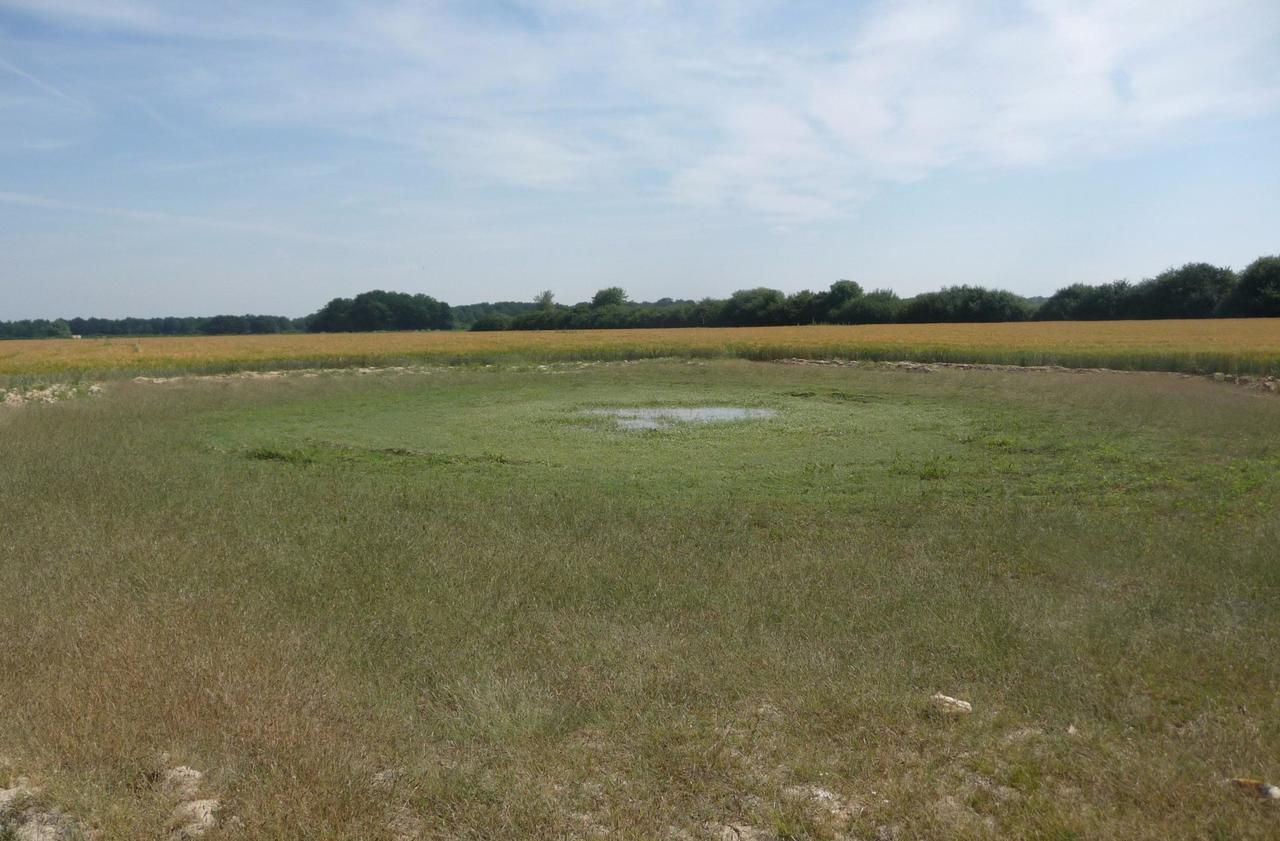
(460, 605)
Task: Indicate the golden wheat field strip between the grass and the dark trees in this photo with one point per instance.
(1233, 346)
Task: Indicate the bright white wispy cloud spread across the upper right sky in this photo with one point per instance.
(922, 88)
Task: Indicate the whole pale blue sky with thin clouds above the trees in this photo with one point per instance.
(190, 158)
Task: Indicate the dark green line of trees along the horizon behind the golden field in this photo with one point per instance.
(1194, 291)
